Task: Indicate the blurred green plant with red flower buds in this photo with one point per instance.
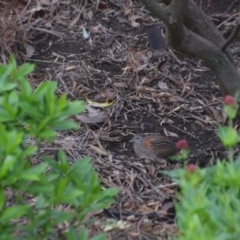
(209, 200)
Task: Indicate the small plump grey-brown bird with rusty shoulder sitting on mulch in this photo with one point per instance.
(153, 146)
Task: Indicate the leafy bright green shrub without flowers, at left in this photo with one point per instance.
(39, 113)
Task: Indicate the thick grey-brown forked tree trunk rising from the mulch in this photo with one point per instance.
(191, 31)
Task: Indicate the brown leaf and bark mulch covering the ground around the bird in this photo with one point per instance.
(153, 91)
